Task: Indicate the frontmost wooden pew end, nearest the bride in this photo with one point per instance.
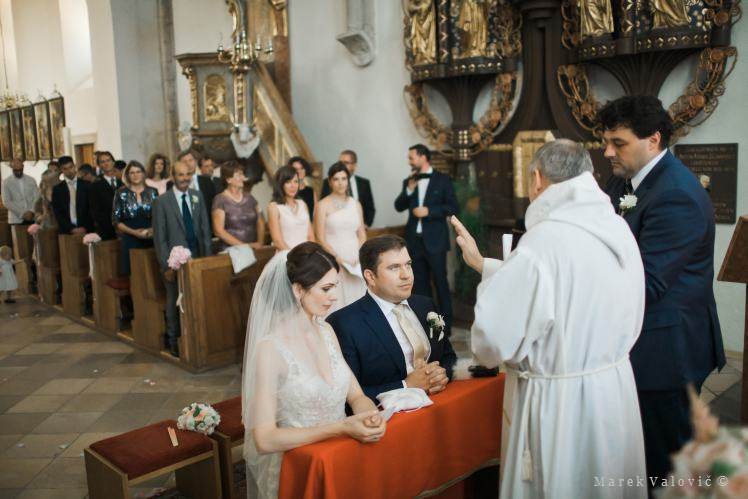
(213, 328)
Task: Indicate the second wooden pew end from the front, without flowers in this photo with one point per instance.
(148, 299)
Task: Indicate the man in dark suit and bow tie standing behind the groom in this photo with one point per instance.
(430, 200)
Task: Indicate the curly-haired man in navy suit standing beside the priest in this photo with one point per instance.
(672, 218)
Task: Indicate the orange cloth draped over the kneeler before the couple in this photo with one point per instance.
(421, 450)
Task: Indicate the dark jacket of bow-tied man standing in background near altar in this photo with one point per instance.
(442, 203)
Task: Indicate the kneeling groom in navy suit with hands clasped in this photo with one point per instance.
(385, 336)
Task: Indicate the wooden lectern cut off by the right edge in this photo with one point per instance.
(735, 269)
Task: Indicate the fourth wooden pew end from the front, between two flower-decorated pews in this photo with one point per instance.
(74, 271)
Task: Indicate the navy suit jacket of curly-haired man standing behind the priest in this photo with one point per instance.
(673, 222)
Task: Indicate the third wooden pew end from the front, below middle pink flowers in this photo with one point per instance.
(106, 299)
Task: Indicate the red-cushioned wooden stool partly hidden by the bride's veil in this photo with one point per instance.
(229, 435)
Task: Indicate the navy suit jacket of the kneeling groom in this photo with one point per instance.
(371, 349)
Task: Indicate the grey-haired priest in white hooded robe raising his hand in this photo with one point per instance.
(562, 313)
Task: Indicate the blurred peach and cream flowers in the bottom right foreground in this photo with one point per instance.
(713, 464)
